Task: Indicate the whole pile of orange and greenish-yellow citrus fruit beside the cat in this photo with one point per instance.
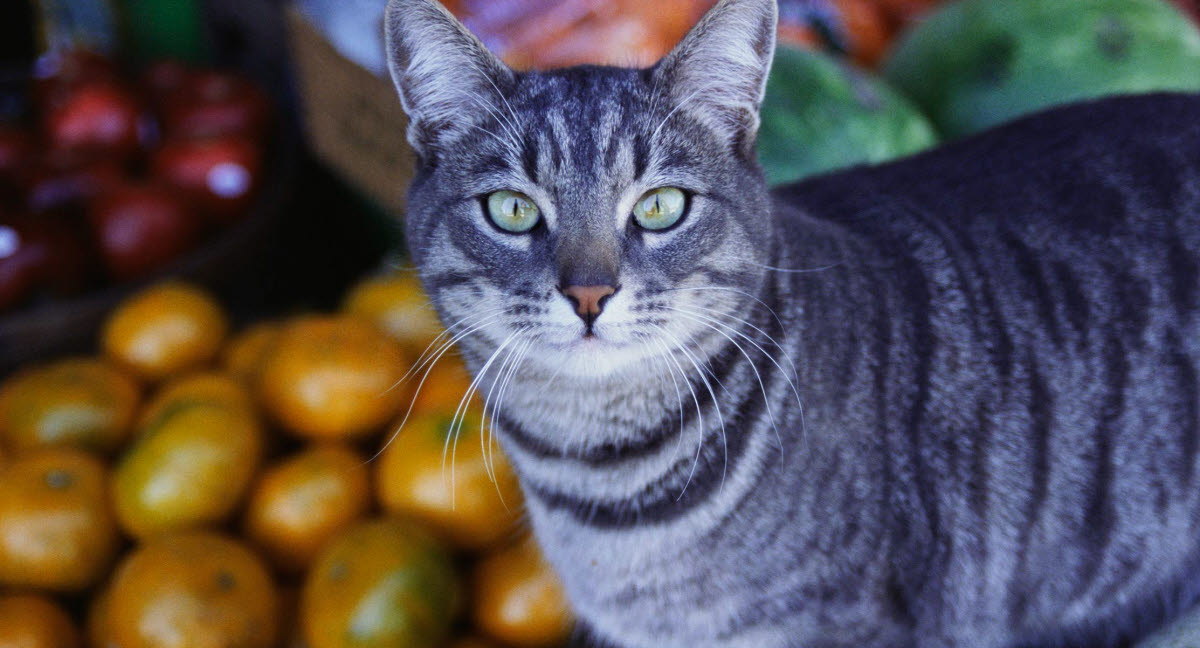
(190, 487)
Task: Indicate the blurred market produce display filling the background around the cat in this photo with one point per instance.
(229, 415)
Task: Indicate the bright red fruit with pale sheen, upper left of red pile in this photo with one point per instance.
(95, 118)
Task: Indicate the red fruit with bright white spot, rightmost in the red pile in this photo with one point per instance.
(217, 176)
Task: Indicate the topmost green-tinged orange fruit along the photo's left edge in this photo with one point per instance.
(79, 403)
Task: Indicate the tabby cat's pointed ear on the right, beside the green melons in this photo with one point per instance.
(718, 74)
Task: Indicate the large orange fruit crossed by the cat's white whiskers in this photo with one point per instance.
(455, 497)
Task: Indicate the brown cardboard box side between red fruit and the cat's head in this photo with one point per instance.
(352, 118)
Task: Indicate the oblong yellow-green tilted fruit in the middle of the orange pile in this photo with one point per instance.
(190, 467)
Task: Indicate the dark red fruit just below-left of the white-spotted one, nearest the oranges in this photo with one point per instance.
(141, 229)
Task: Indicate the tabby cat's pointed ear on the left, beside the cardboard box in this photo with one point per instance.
(447, 79)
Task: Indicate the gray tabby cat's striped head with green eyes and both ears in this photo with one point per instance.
(597, 215)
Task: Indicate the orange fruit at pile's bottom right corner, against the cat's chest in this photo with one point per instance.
(519, 599)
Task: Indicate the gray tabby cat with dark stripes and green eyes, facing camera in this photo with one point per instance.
(951, 401)
